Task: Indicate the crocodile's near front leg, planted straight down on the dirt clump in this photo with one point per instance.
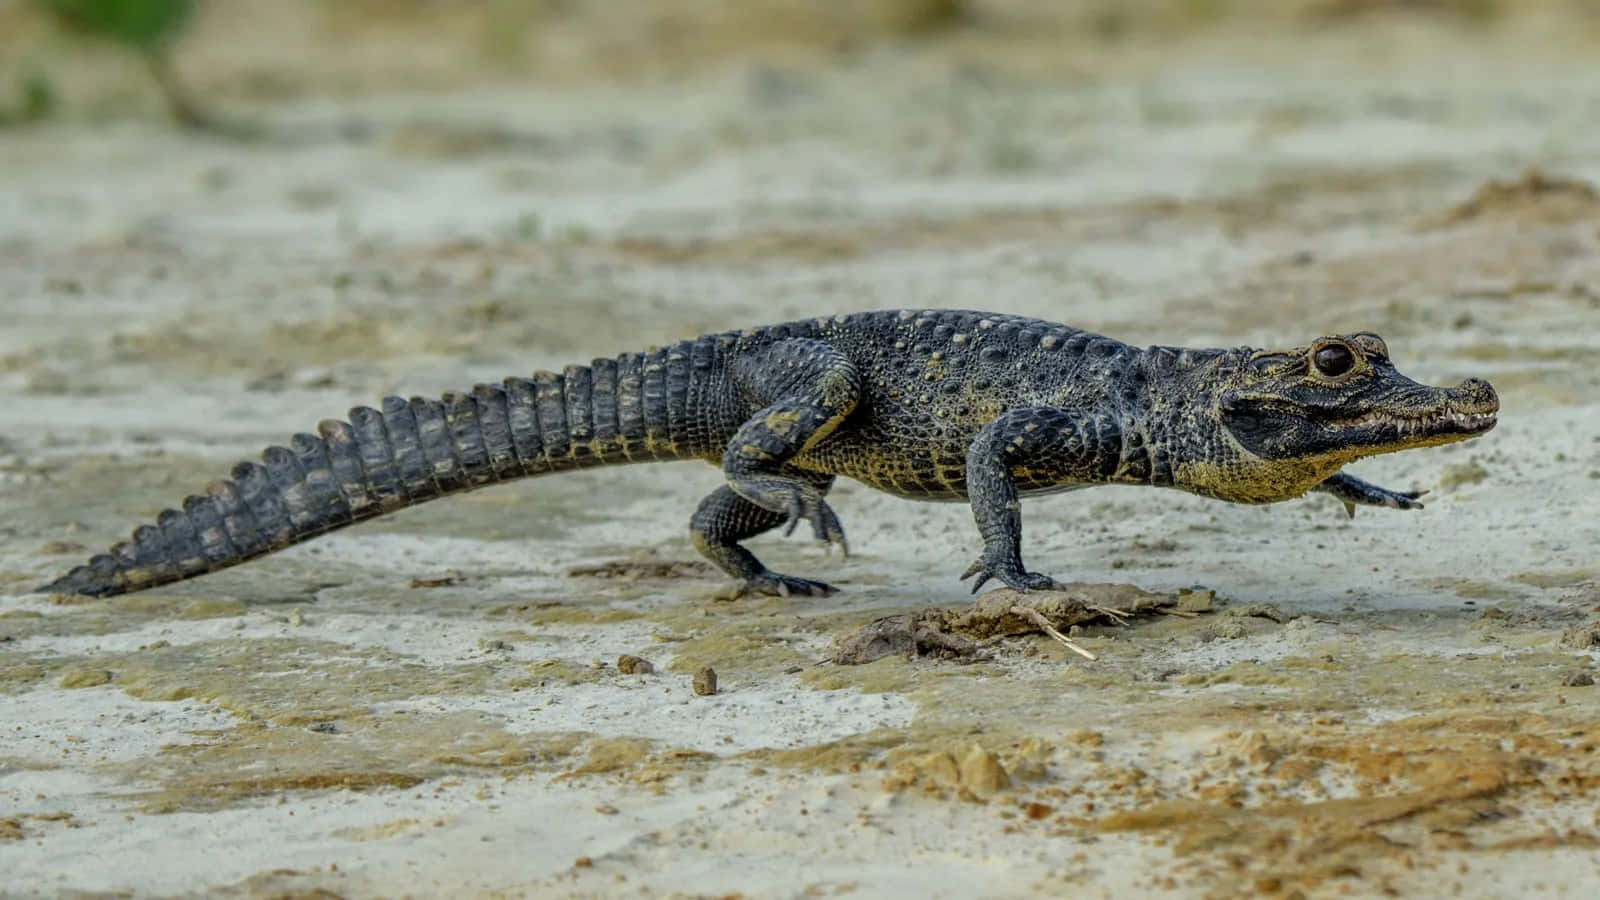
(1042, 448)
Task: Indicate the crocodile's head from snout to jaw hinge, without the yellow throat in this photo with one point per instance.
(1343, 398)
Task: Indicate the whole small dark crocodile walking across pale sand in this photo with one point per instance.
(932, 404)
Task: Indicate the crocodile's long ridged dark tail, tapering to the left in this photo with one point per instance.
(617, 411)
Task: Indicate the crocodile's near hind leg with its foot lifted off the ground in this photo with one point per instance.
(807, 388)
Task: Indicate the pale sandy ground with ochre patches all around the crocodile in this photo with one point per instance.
(1410, 717)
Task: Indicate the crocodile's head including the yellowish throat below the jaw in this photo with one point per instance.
(1297, 416)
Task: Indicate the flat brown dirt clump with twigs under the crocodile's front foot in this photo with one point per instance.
(964, 633)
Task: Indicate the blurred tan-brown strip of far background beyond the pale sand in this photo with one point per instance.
(298, 49)
